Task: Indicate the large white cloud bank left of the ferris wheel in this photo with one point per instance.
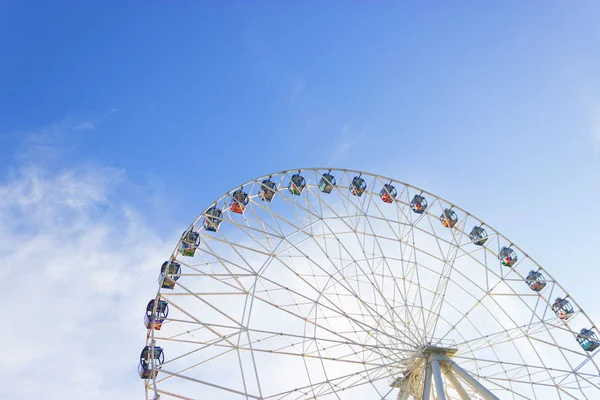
(76, 258)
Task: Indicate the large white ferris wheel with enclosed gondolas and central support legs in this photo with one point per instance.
(340, 284)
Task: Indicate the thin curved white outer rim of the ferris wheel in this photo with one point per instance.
(227, 194)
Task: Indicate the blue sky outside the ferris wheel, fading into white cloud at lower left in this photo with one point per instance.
(136, 116)
